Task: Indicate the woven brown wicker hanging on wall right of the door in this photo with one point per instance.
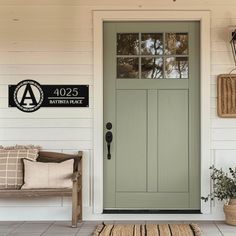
(226, 91)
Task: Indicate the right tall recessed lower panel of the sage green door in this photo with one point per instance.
(173, 141)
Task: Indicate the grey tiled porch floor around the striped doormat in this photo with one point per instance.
(61, 228)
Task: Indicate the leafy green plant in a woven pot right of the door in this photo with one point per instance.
(224, 189)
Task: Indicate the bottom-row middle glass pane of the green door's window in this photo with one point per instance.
(152, 68)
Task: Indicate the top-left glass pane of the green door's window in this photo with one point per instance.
(127, 44)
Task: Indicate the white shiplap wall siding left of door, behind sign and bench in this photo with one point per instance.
(52, 45)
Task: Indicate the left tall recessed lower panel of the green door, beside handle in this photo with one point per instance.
(131, 140)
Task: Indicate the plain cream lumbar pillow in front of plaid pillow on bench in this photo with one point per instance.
(47, 175)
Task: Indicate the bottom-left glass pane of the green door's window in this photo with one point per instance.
(127, 67)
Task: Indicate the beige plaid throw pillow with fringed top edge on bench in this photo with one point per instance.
(11, 166)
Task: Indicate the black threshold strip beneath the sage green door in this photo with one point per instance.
(154, 211)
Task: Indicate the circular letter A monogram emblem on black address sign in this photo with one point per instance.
(28, 96)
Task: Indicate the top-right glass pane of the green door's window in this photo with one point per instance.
(176, 44)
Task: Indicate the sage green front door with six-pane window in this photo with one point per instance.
(151, 98)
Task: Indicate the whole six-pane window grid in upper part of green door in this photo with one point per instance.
(152, 56)
